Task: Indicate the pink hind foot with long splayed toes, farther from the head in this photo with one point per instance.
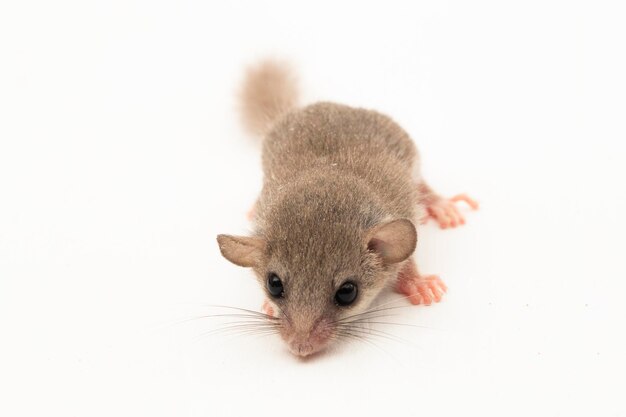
(443, 210)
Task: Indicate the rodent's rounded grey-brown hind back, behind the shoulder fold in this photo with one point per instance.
(350, 141)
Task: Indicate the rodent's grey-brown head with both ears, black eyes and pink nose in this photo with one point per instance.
(316, 279)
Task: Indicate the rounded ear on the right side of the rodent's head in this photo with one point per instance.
(394, 241)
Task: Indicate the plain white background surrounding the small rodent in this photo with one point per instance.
(121, 158)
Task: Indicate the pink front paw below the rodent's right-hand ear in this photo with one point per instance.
(419, 289)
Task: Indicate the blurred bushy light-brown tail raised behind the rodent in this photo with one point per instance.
(269, 90)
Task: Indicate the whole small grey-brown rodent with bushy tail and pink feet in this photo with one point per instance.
(335, 221)
